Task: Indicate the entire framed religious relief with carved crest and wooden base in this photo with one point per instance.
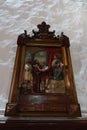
(43, 81)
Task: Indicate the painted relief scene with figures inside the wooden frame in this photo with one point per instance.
(43, 71)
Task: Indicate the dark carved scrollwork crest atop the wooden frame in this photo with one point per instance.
(43, 35)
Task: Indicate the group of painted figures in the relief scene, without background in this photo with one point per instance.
(38, 77)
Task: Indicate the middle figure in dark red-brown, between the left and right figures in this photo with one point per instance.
(41, 74)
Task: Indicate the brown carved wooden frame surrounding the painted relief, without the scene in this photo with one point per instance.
(60, 104)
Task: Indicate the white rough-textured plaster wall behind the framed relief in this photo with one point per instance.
(69, 16)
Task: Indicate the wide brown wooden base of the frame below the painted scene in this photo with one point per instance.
(43, 105)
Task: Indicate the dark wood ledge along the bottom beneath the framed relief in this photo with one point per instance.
(43, 123)
